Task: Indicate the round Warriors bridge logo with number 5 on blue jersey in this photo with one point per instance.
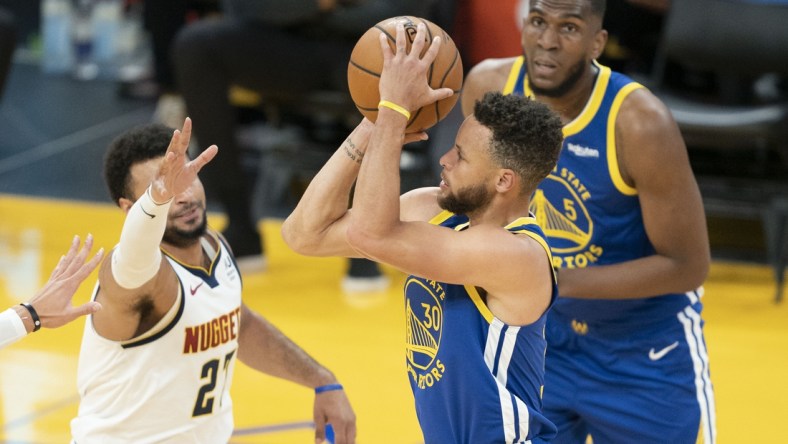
(565, 219)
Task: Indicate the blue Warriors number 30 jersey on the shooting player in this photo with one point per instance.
(475, 379)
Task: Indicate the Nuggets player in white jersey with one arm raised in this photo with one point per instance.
(156, 363)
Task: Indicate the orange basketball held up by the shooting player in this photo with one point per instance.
(366, 64)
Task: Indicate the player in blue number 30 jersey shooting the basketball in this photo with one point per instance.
(480, 281)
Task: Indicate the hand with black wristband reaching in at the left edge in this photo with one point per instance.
(53, 301)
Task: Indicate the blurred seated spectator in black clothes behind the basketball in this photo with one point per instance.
(276, 47)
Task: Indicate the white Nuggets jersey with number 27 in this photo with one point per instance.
(172, 385)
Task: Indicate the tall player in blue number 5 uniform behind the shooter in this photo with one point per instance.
(626, 357)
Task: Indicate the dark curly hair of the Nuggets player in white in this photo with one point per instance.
(136, 145)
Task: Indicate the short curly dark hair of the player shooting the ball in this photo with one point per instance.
(526, 136)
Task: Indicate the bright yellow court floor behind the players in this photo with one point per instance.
(361, 338)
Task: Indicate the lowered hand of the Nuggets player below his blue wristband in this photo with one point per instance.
(333, 408)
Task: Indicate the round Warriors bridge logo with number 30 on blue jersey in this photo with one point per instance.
(423, 327)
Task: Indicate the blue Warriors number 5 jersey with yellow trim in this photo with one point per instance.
(589, 214)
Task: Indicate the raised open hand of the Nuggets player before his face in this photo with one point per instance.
(176, 172)
